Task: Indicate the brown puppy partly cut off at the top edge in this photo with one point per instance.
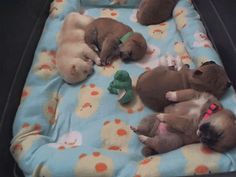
(152, 12)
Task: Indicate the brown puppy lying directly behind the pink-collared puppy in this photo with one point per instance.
(152, 85)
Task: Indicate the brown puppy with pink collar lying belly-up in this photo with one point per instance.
(195, 117)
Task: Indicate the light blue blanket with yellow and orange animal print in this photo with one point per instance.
(62, 130)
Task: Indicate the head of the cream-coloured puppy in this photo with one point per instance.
(77, 71)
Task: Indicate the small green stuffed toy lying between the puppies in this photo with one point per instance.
(122, 86)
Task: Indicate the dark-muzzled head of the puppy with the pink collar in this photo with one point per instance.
(218, 131)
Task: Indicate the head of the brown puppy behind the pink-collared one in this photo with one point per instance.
(211, 78)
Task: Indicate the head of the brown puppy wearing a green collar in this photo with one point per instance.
(134, 48)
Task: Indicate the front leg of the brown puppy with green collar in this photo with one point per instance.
(110, 49)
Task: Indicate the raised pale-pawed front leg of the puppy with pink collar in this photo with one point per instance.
(182, 95)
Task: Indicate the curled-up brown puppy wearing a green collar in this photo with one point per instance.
(114, 39)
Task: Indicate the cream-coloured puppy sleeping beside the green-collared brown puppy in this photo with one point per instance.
(74, 58)
